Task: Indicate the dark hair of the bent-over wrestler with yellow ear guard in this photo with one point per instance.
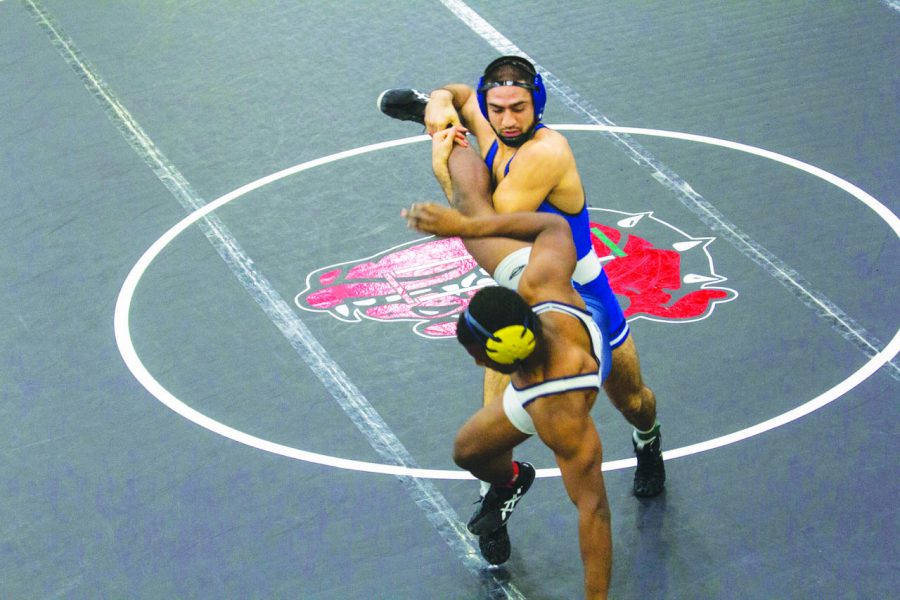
(494, 308)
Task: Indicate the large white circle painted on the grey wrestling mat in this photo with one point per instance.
(145, 378)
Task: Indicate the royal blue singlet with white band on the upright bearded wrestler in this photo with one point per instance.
(589, 278)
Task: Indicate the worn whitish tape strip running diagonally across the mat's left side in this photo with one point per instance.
(360, 412)
